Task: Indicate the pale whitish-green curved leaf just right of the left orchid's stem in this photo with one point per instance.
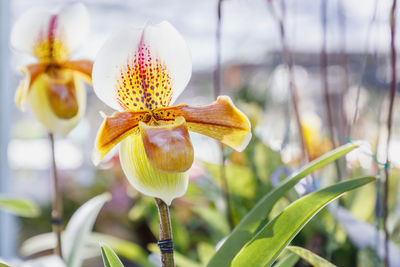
(79, 228)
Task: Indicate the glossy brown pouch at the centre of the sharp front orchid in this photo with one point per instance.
(168, 146)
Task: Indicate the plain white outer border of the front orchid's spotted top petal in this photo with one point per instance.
(164, 44)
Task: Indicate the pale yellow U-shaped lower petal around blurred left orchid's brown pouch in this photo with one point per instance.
(40, 105)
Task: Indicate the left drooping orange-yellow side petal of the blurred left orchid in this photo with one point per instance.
(31, 73)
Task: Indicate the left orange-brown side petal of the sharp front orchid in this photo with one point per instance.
(114, 129)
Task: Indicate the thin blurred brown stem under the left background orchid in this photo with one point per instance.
(57, 209)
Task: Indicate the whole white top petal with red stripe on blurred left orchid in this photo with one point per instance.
(51, 36)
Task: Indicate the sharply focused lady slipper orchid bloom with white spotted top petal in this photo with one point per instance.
(140, 72)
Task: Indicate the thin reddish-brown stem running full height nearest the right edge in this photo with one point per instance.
(389, 129)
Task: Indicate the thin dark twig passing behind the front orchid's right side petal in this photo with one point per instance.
(217, 92)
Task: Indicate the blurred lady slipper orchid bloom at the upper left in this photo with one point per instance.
(53, 86)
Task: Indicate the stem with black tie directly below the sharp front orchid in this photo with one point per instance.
(167, 257)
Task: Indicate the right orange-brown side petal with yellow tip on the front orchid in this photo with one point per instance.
(221, 120)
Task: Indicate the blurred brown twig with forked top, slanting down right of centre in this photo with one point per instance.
(288, 58)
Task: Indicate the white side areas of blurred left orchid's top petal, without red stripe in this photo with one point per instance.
(72, 27)
